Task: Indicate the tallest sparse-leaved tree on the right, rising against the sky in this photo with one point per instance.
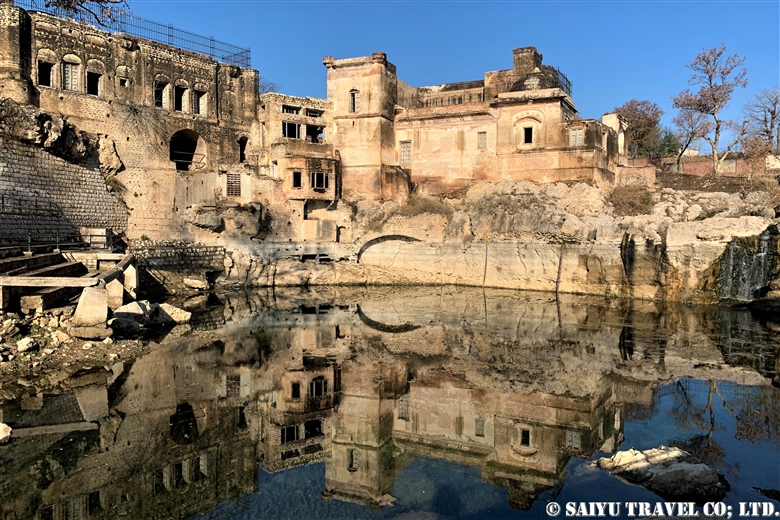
(717, 77)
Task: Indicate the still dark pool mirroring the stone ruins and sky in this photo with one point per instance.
(418, 403)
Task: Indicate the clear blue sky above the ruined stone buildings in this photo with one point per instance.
(612, 51)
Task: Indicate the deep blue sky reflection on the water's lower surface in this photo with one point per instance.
(450, 490)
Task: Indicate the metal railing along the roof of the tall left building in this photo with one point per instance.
(121, 21)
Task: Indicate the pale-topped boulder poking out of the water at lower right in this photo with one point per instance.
(671, 473)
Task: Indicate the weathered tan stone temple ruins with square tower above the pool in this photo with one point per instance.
(195, 149)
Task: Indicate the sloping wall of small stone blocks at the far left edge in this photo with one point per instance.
(44, 195)
